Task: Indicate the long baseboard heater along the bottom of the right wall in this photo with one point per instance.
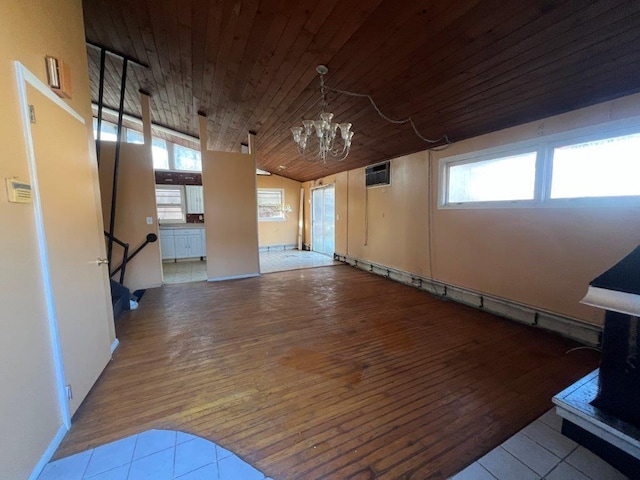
(567, 327)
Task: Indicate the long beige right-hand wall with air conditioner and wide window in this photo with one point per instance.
(542, 257)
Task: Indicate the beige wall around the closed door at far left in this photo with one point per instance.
(29, 412)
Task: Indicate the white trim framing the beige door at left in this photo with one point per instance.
(24, 77)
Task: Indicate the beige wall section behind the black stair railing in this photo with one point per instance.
(136, 201)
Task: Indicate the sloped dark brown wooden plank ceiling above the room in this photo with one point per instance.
(459, 68)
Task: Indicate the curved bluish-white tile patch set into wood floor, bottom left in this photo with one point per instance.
(153, 455)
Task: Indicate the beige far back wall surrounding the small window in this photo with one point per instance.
(286, 232)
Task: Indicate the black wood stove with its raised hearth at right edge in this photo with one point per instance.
(602, 411)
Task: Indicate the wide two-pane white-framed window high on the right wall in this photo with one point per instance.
(583, 166)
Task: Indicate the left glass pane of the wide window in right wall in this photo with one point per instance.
(498, 179)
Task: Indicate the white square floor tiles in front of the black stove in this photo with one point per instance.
(540, 451)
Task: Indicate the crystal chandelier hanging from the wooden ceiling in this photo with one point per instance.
(325, 143)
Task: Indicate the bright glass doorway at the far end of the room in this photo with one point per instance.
(323, 220)
